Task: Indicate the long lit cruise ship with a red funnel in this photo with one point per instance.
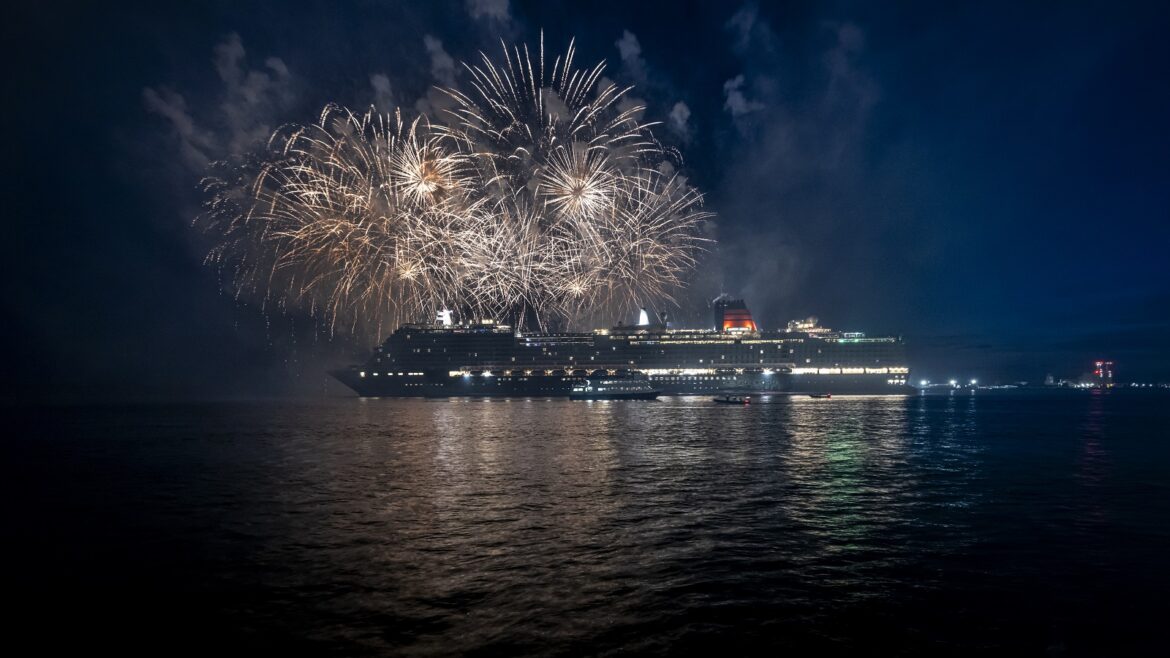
(445, 359)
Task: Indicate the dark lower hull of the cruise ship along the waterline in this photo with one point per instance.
(443, 385)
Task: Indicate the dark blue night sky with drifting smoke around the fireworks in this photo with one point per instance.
(990, 181)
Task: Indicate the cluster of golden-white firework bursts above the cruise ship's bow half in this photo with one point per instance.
(536, 198)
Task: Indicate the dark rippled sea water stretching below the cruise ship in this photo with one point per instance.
(872, 526)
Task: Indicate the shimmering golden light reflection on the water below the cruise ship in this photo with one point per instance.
(549, 478)
